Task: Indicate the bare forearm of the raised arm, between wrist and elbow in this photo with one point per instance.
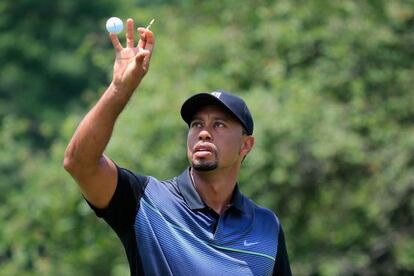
(86, 148)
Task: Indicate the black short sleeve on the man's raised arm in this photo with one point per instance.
(123, 206)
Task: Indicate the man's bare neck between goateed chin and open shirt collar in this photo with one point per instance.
(215, 187)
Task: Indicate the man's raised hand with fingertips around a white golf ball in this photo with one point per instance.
(132, 62)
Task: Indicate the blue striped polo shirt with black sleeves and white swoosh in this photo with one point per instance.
(167, 229)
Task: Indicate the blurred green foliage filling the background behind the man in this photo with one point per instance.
(329, 84)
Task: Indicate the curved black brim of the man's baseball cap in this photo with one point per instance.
(194, 103)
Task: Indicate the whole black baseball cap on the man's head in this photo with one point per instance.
(232, 103)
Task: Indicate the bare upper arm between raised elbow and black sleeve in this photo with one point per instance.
(98, 185)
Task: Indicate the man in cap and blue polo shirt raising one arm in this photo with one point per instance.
(197, 223)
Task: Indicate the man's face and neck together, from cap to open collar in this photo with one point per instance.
(216, 147)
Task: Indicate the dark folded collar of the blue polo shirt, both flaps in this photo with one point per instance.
(193, 199)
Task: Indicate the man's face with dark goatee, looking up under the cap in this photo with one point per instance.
(215, 140)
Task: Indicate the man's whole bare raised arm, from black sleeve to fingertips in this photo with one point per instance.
(84, 159)
